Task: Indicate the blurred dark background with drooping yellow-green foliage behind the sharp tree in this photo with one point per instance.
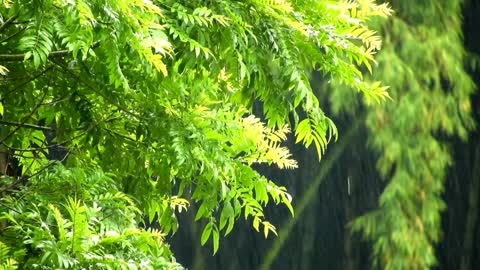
(400, 189)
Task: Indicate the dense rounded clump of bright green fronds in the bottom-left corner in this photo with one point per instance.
(84, 223)
